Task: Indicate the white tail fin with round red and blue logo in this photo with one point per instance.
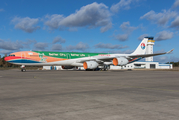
(141, 49)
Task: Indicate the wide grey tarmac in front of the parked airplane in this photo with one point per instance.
(89, 95)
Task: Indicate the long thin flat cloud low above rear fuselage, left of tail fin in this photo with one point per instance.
(109, 46)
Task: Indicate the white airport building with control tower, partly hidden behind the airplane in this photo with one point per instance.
(148, 64)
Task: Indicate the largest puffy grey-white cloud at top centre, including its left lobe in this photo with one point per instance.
(91, 16)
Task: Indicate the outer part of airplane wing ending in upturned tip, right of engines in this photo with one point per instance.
(149, 55)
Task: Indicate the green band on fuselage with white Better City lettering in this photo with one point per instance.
(67, 55)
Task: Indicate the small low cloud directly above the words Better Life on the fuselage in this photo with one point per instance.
(80, 46)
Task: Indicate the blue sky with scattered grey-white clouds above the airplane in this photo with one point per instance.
(108, 26)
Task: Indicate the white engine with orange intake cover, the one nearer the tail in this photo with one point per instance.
(120, 61)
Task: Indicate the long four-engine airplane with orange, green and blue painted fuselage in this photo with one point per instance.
(69, 60)
